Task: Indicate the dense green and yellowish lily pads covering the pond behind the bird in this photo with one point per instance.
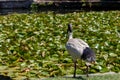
(33, 45)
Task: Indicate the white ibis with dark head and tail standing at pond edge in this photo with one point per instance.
(79, 49)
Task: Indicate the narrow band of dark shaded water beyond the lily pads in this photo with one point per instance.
(55, 10)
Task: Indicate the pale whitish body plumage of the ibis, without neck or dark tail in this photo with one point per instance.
(75, 47)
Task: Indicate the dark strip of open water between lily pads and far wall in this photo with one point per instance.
(58, 9)
